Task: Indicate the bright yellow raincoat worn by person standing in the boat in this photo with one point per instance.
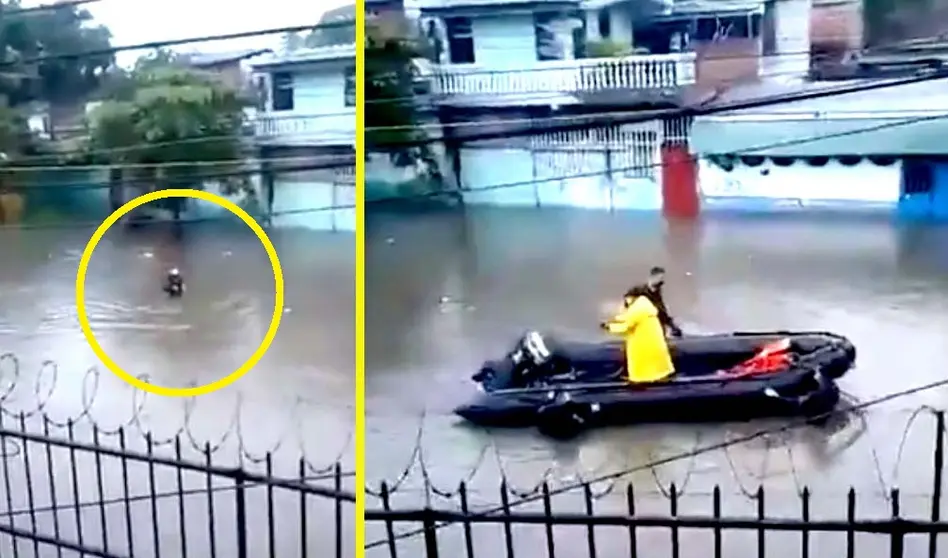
(646, 351)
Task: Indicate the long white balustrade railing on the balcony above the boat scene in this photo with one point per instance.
(660, 71)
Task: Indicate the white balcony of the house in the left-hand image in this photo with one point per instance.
(292, 128)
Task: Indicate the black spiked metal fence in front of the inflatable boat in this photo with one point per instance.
(530, 528)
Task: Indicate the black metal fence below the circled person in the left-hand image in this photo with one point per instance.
(65, 498)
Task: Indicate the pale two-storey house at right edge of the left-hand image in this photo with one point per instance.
(305, 135)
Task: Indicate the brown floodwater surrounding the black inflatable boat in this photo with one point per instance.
(446, 291)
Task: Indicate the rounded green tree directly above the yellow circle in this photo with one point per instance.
(172, 128)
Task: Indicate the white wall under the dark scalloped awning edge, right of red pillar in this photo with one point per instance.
(799, 185)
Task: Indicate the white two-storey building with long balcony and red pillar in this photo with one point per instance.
(518, 68)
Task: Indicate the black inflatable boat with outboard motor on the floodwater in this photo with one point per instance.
(564, 387)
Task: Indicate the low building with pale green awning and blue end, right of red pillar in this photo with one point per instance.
(880, 151)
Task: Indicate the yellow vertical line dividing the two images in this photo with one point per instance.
(359, 543)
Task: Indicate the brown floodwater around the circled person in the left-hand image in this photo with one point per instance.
(297, 402)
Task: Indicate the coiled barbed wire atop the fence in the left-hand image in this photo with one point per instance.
(44, 387)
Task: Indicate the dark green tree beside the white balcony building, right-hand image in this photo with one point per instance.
(392, 104)
